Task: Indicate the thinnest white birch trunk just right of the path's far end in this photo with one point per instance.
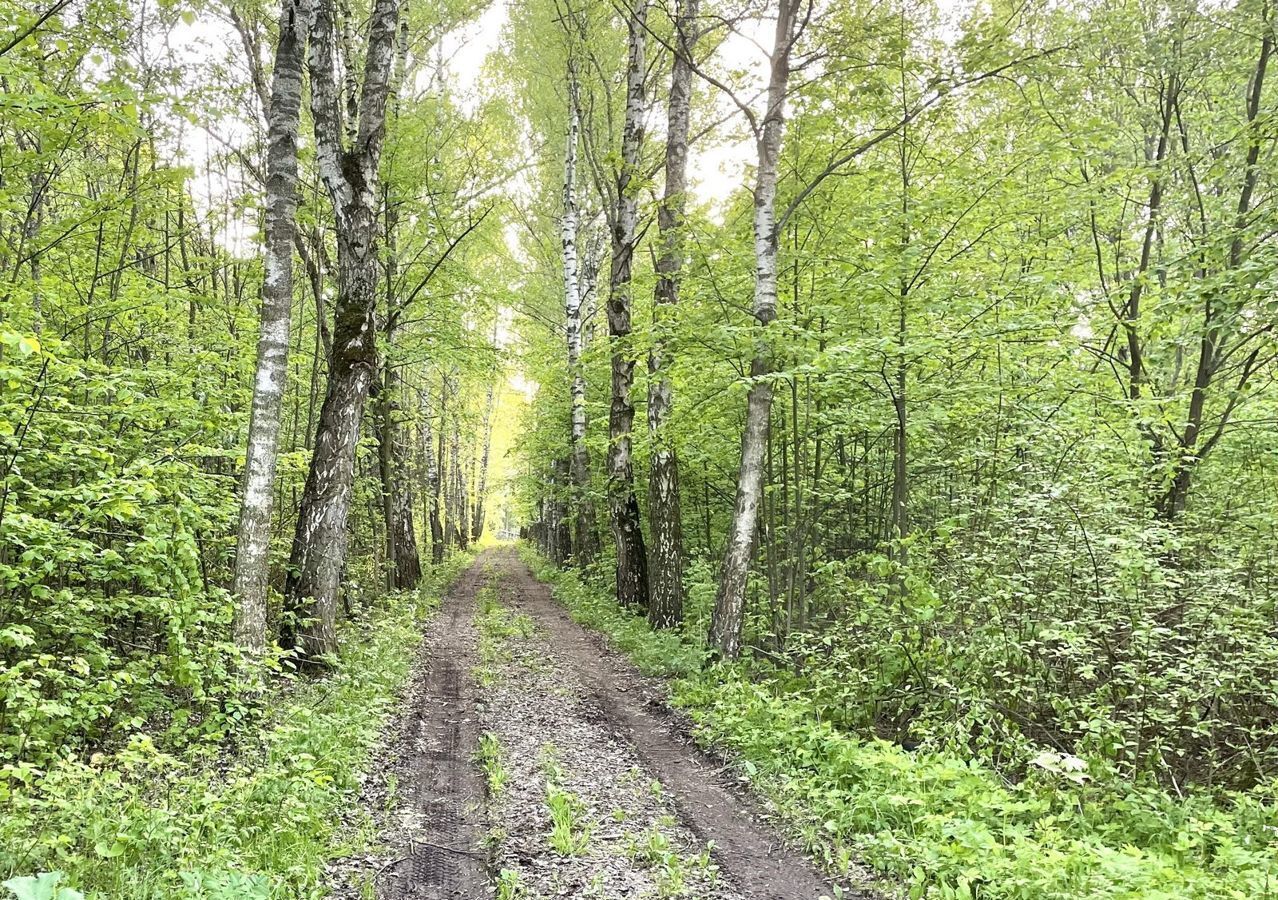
(580, 461)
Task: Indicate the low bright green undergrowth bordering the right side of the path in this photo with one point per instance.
(941, 825)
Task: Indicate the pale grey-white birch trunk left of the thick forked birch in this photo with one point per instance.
(254, 549)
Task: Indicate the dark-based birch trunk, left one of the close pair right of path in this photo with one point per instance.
(623, 507)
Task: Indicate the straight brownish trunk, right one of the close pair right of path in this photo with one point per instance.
(665, 522)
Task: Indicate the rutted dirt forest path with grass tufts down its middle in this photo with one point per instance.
(592, 789)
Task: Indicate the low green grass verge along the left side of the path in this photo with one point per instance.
(254, 824)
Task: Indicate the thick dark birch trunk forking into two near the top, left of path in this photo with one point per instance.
(351, 178)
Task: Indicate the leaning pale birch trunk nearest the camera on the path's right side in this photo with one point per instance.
(728, 621)
